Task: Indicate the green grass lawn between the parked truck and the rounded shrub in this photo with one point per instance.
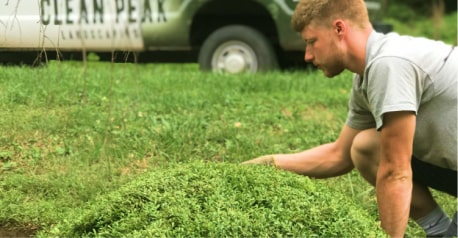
(72, 133)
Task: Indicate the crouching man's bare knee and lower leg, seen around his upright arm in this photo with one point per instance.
(365, 153)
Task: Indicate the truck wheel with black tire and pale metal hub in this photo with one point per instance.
(237, 49)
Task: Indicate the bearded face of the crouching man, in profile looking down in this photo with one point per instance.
(322, 49)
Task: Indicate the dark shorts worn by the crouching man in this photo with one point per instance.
(435, 177)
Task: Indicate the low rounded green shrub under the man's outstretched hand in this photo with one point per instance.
(208, 199)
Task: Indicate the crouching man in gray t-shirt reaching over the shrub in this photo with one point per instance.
(401, 129)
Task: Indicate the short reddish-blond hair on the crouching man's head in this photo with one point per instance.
(323, 12)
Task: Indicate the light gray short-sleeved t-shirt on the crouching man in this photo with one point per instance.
(410, 74)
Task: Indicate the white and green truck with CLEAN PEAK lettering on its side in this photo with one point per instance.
(221, 35)
